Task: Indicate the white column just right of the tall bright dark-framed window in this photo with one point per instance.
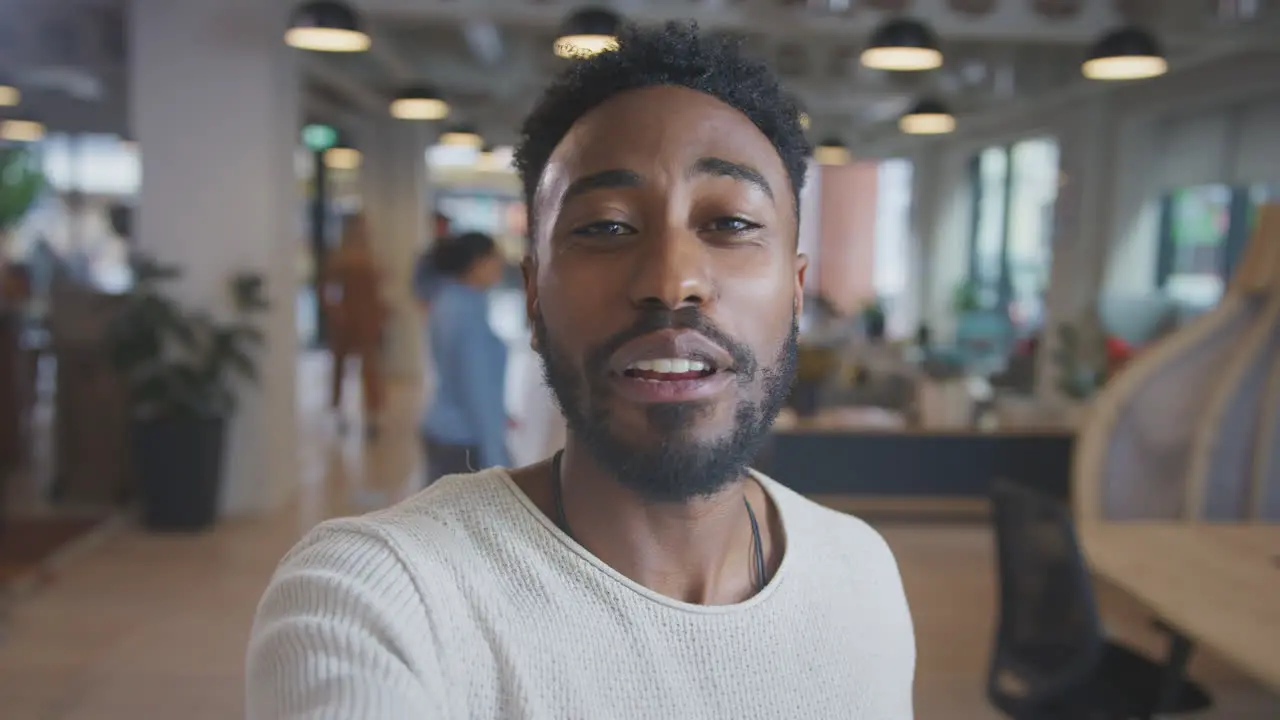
(1082, 234)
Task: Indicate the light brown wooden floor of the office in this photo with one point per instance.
(138, 627)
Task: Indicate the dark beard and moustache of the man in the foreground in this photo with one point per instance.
(678, 467)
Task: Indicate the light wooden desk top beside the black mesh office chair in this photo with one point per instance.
(1217, 584)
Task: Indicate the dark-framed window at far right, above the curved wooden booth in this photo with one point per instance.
(1204, 231)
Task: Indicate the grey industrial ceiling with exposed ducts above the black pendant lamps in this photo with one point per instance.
(492, 57)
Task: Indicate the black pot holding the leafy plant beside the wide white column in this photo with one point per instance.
(180, 463)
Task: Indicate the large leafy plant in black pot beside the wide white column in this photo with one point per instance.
(182, 370)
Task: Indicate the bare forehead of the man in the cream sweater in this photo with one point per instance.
(660, 131)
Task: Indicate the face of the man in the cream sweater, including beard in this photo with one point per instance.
(665, 289)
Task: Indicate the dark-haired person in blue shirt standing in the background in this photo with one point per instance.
(465, 426)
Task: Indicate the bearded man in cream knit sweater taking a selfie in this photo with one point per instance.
(644, 572)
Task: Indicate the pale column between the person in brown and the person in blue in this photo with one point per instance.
(394, 176)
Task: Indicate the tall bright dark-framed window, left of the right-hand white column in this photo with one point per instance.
(1011, 249)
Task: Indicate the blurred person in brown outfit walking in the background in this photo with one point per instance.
(356, 317)
